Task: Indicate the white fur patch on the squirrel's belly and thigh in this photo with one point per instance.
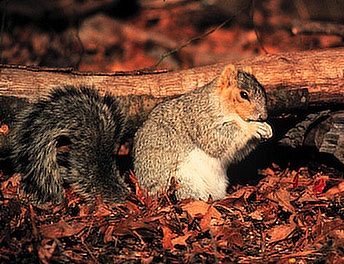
(203, 175)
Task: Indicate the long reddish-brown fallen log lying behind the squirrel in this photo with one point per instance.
(293, 81)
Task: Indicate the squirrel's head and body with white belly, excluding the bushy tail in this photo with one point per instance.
(194, 137)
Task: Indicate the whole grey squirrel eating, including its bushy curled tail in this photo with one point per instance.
(191, 138)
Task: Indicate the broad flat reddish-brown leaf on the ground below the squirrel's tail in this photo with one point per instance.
(62, 229)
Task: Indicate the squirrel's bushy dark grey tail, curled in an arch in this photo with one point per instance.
(70, 137)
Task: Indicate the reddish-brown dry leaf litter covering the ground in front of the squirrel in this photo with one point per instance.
(291, 216)
